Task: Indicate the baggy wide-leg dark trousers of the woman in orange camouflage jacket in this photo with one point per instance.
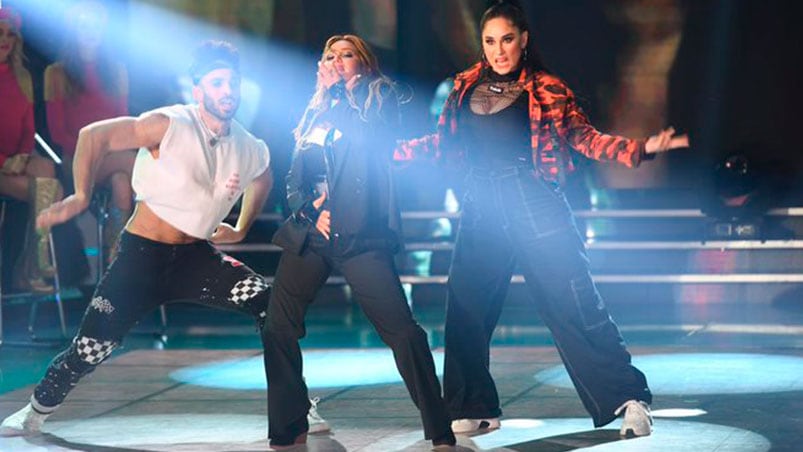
(512, 216)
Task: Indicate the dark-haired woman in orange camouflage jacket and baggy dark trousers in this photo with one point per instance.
(513, 125)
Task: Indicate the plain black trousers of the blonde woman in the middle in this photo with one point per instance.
(375, 284)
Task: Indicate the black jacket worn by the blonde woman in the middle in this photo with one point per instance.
(361, 199)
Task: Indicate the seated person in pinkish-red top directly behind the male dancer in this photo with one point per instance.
(85, 86)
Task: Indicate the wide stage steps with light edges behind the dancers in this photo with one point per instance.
(661, 253)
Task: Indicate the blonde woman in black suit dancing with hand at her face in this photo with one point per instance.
(345, 219)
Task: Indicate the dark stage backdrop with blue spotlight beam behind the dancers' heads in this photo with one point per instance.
(723, 71)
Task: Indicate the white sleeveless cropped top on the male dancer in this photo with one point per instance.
(197, 178)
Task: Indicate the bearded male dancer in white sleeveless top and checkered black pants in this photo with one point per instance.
(194, 163)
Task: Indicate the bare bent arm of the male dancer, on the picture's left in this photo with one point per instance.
(94, 142)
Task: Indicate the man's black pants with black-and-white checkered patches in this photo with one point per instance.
(145, 275)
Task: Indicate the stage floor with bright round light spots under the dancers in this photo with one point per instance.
(732, 384)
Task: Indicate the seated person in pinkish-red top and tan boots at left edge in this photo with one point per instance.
(24, 175)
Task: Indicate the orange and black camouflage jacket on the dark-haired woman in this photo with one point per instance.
(557, 124)
